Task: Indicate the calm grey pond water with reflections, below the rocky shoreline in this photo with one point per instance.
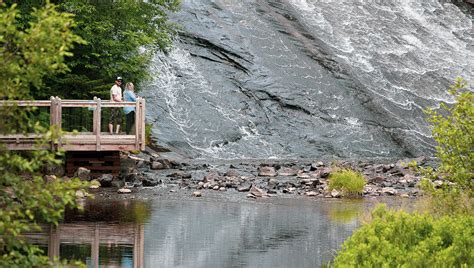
(187, 233)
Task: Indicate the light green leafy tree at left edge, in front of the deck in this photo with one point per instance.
(29, 53)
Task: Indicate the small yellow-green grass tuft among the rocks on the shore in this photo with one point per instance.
(348, 181)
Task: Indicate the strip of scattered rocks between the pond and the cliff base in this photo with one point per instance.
(255, 179)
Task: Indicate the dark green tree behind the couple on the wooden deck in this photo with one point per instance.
(122, 36)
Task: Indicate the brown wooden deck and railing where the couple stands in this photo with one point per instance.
(81, 141)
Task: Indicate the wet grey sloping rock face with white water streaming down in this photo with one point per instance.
(291, 79)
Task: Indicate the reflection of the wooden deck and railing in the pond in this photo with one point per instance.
(108, 234)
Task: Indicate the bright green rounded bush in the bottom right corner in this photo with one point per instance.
(400, 239)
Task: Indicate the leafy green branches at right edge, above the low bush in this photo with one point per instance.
(453, 130)
